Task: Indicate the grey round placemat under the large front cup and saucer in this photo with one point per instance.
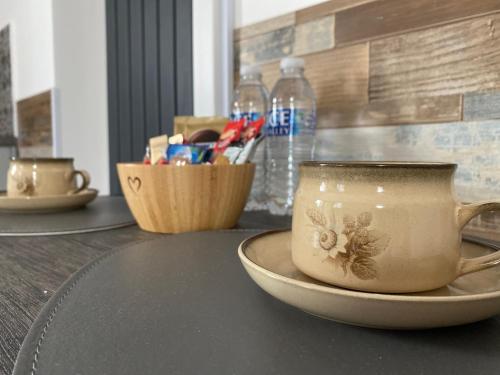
(184, 305)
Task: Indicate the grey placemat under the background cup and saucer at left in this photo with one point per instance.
(102, 214)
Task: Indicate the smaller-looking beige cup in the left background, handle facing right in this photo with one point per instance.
(43, 177)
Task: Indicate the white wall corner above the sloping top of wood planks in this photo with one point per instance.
(247, 12)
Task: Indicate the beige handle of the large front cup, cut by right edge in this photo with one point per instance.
(465, 214)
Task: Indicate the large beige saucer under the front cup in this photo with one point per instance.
(470, 298)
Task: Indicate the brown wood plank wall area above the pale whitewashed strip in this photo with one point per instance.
(387, 62)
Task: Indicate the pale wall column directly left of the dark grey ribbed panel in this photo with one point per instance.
(81, 81)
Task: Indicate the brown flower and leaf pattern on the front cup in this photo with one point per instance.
(362, 243)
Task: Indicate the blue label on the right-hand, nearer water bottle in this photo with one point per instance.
(290, 122)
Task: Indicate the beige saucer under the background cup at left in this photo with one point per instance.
(46, 204)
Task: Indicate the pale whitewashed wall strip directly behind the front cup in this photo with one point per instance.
(475, 146)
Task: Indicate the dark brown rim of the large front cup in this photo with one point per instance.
(378, 164)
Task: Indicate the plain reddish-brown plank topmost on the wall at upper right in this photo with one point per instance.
(384, 17)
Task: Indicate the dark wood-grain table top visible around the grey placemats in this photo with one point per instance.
(33, 268)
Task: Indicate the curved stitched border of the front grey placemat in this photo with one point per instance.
(41, 324)
